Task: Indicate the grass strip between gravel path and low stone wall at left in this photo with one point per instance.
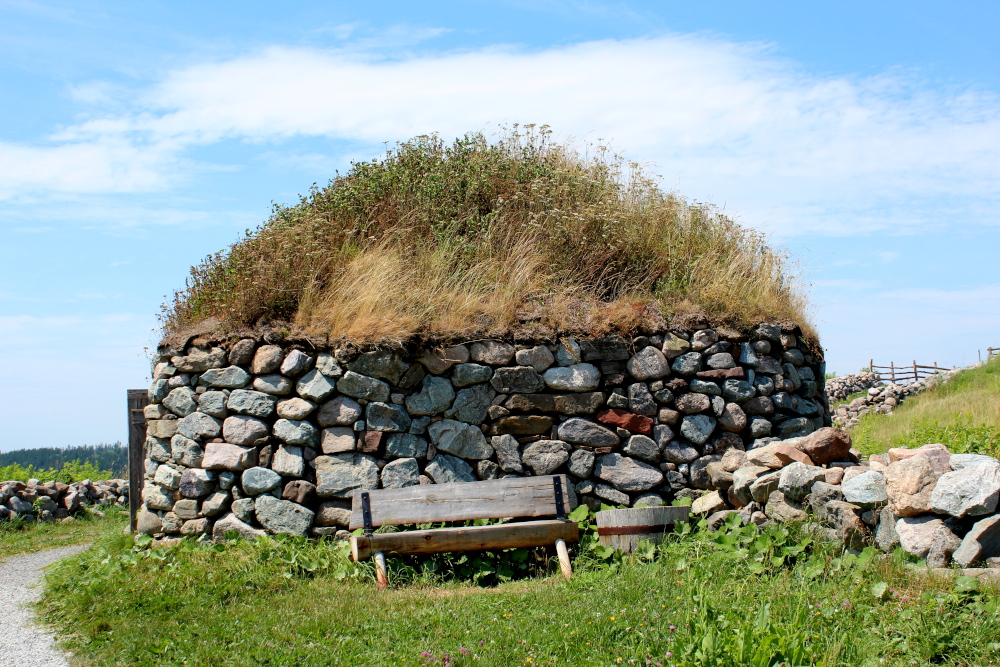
(17, 538)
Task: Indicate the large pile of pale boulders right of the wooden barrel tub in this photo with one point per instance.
(936, 505)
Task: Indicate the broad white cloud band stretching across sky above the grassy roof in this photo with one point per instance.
(724, 122)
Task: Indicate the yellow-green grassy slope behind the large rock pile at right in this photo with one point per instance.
(963, 414)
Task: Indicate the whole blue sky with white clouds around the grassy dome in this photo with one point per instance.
(137, 138)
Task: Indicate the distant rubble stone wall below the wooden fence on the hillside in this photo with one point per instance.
(881, 398)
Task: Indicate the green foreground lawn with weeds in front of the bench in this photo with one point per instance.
(696, 604)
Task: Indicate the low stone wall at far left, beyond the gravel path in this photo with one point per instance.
(48, 501)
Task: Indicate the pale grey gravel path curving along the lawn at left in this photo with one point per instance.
(21, 642)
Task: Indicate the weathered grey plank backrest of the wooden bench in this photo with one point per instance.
(462, 501)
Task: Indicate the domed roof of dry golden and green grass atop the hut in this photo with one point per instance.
(440, 241)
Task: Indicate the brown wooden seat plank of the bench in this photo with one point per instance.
(475, 538)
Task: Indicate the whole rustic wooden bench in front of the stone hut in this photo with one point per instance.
(513, 497)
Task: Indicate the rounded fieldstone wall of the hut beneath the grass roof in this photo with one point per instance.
(256, 436)
